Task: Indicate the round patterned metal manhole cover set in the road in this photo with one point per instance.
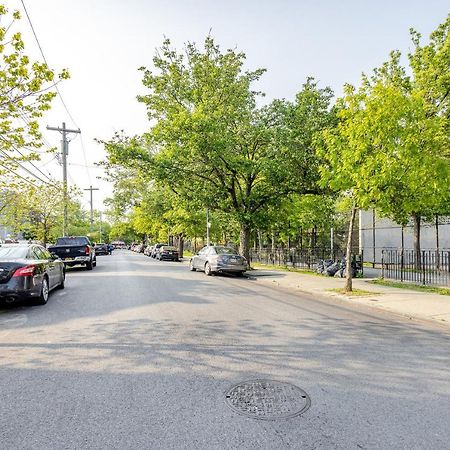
(267, 399)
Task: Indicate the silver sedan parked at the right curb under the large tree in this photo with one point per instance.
(216, 259)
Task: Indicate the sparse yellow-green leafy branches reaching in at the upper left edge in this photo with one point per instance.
(25, 93)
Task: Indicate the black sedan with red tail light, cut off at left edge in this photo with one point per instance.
(29, 271)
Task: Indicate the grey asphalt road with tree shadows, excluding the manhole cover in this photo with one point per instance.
(139, 354)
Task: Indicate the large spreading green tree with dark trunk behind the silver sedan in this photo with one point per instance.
(211, 144)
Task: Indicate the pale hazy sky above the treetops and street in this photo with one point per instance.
(103, 43)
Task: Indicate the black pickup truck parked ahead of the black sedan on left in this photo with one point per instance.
(75, 250)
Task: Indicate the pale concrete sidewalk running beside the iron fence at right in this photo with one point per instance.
(414, 304)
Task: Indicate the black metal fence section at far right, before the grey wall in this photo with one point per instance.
(427, 267)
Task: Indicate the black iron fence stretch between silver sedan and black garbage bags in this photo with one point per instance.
(306, 258)
